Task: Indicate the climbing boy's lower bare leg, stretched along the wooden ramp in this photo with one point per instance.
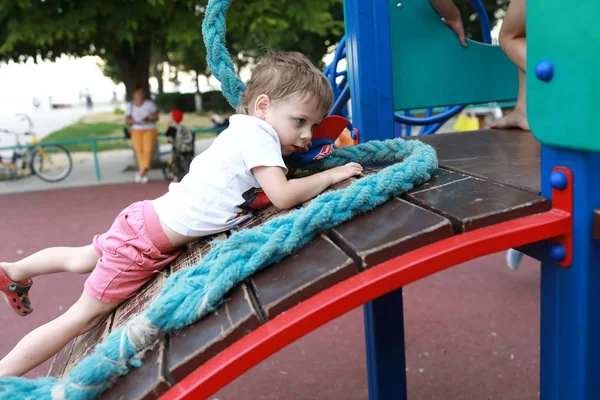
(42, 343)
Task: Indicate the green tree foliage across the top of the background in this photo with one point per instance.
(126, 33)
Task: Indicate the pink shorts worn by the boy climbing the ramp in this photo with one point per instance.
(134, 248)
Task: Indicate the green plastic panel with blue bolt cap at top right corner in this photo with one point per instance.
(561, 111)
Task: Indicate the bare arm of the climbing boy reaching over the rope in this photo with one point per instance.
(287, 194)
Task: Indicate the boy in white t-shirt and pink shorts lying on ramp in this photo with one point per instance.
(284, 100)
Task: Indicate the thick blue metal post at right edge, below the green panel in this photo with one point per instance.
(570, 297)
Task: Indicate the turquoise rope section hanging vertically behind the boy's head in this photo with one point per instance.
(218, 58)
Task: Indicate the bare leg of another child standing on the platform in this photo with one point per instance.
(513, 43)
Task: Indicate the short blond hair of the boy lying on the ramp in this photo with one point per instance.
(279, 75)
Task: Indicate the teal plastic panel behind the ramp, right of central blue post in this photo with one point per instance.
(431, 68)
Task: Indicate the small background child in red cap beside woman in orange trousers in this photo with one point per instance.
(183, 145)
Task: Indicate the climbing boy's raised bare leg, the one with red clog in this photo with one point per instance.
(80, 260)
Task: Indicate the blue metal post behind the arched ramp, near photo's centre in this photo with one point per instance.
(370, 80)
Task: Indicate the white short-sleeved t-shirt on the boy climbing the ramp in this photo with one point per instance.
(219, 192)
